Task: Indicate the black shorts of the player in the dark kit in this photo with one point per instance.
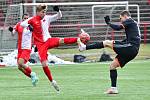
(125, 52)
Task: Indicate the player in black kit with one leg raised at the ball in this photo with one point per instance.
(126, 50)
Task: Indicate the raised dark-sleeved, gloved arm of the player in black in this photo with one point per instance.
(113, 26)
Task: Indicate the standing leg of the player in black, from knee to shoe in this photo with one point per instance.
(113, 77)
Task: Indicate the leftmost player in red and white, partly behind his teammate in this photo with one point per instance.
(24, 48)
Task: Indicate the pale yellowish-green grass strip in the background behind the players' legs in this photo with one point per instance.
(95, 54)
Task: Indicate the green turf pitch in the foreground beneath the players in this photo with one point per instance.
(85, 81)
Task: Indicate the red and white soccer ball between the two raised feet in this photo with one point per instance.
(84, 37)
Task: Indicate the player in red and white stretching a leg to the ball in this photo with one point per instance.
(42, 38)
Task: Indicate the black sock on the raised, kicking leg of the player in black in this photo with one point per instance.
(96, 45)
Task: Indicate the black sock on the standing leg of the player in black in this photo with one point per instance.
(113, 77)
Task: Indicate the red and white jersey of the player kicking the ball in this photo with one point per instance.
(41, 26)
